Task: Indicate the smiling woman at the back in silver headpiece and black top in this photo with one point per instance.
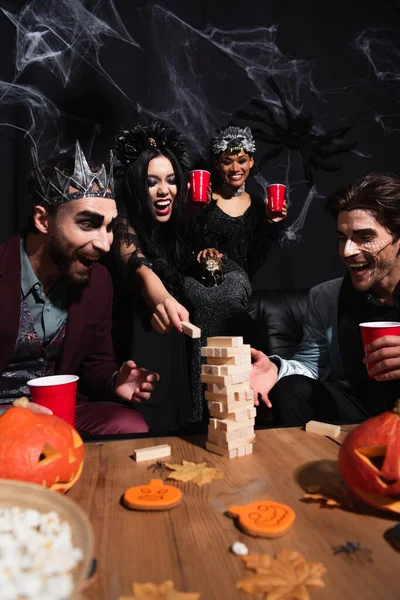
(239, 225)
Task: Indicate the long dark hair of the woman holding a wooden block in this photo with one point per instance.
(161, 243)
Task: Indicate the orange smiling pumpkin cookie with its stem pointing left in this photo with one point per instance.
(263, 518)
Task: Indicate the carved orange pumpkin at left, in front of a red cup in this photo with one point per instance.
(39, 448)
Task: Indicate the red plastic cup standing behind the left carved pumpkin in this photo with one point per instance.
(57, 392)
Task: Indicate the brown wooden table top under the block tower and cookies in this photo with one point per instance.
(190, 543)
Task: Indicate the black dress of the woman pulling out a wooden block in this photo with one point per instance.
(170, 405)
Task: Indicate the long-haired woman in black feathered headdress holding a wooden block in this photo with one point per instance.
(150, 193)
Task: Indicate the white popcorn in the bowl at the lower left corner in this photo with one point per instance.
(36, 555)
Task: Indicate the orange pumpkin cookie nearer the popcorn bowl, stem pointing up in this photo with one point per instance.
(153, 496)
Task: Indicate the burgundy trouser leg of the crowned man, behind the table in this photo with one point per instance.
(108, 418)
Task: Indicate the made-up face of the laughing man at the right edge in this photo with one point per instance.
(367, 248)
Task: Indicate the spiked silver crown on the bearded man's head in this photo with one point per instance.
(83, 179)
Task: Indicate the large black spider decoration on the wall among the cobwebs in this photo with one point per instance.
(297, 133)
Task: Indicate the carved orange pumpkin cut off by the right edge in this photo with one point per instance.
(369, 460)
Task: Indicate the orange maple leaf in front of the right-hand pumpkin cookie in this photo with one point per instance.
(287, 576)
